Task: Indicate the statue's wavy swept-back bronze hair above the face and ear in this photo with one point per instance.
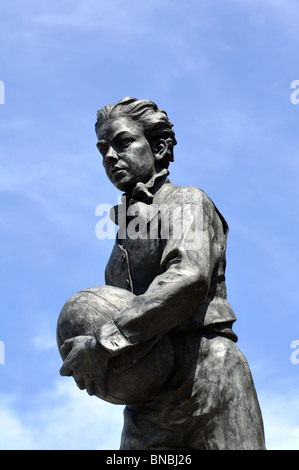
(154, 120)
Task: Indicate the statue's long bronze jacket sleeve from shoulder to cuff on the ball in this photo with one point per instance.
(187, 264)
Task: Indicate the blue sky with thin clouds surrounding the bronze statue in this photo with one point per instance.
(222, 69)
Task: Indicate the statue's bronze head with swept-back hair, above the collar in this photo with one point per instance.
(136, 140)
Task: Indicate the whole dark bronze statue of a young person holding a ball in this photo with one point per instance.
(159, 336)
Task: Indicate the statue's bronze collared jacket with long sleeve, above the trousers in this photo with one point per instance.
(170, 252)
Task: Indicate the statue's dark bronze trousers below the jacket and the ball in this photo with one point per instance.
(210, 402)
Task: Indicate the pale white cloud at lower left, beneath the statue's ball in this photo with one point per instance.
(62, 418)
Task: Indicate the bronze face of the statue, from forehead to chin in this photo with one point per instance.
(127, 155)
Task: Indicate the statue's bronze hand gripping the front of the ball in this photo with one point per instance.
(85, 359)
